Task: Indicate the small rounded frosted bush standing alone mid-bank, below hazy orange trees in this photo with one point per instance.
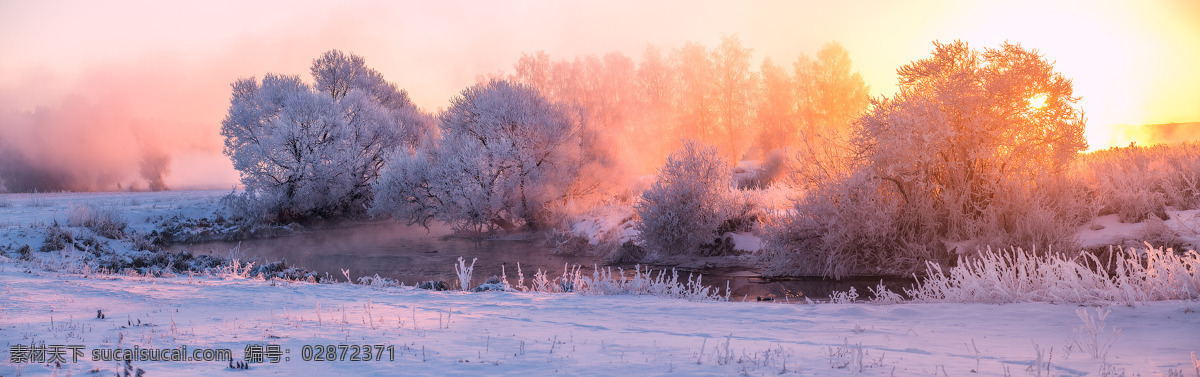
(688, 204)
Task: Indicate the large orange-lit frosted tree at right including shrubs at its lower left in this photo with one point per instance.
(973, 149)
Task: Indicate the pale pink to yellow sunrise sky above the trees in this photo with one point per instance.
(152, 79)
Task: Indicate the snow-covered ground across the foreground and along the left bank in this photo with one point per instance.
(520, 333)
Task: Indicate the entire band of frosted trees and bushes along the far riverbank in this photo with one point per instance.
(975, 148)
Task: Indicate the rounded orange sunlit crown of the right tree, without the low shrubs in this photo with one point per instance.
(967, 125)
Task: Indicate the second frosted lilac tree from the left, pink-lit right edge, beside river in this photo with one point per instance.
(506, 154)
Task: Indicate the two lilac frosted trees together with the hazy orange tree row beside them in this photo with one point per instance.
(508, 148)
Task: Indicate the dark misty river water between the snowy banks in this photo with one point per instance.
(413, 255)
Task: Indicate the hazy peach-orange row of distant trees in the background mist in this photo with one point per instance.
(712, 95)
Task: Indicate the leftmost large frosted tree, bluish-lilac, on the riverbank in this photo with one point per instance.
(314, 151)
